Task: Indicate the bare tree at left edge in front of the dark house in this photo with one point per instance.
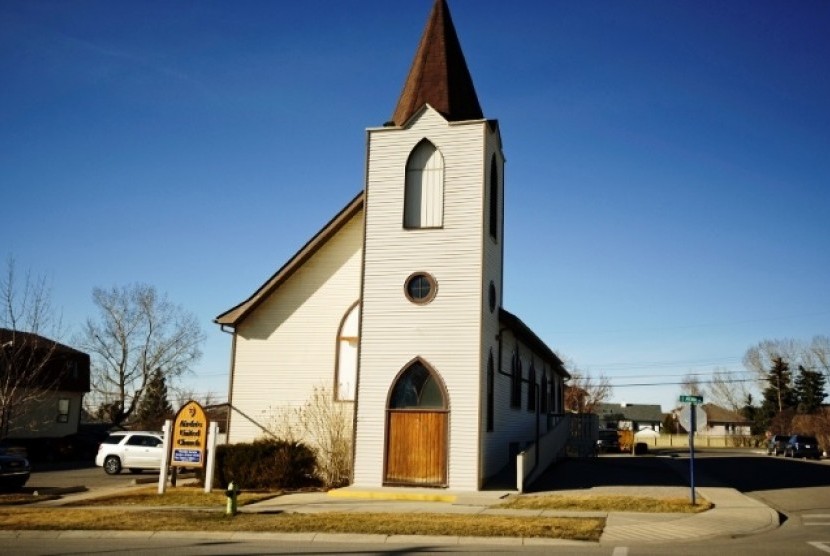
(26, 353)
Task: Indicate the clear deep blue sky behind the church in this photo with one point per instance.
(667, 178)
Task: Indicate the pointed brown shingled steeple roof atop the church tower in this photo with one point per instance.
(439, 74)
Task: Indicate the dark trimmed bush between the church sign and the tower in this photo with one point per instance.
(266, 464)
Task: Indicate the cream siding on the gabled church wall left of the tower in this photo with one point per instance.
(287, 345)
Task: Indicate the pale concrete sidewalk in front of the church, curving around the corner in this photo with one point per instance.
(734, 514)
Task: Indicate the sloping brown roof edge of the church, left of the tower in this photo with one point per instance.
(232, 316)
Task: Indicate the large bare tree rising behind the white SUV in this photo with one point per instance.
(137, 332)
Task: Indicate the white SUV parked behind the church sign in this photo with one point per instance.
(133, 450)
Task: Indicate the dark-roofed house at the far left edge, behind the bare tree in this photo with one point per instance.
(42, 388)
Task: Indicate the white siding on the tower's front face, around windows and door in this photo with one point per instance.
(445, 332)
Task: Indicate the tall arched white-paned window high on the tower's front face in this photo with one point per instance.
(424, 189)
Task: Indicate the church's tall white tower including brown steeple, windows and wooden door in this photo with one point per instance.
(432, 276)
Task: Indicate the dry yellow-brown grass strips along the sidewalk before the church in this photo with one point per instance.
(151, 514)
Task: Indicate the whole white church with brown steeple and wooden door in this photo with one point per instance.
(394, 308)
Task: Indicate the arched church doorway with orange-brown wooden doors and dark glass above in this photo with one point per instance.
(417, 418)
